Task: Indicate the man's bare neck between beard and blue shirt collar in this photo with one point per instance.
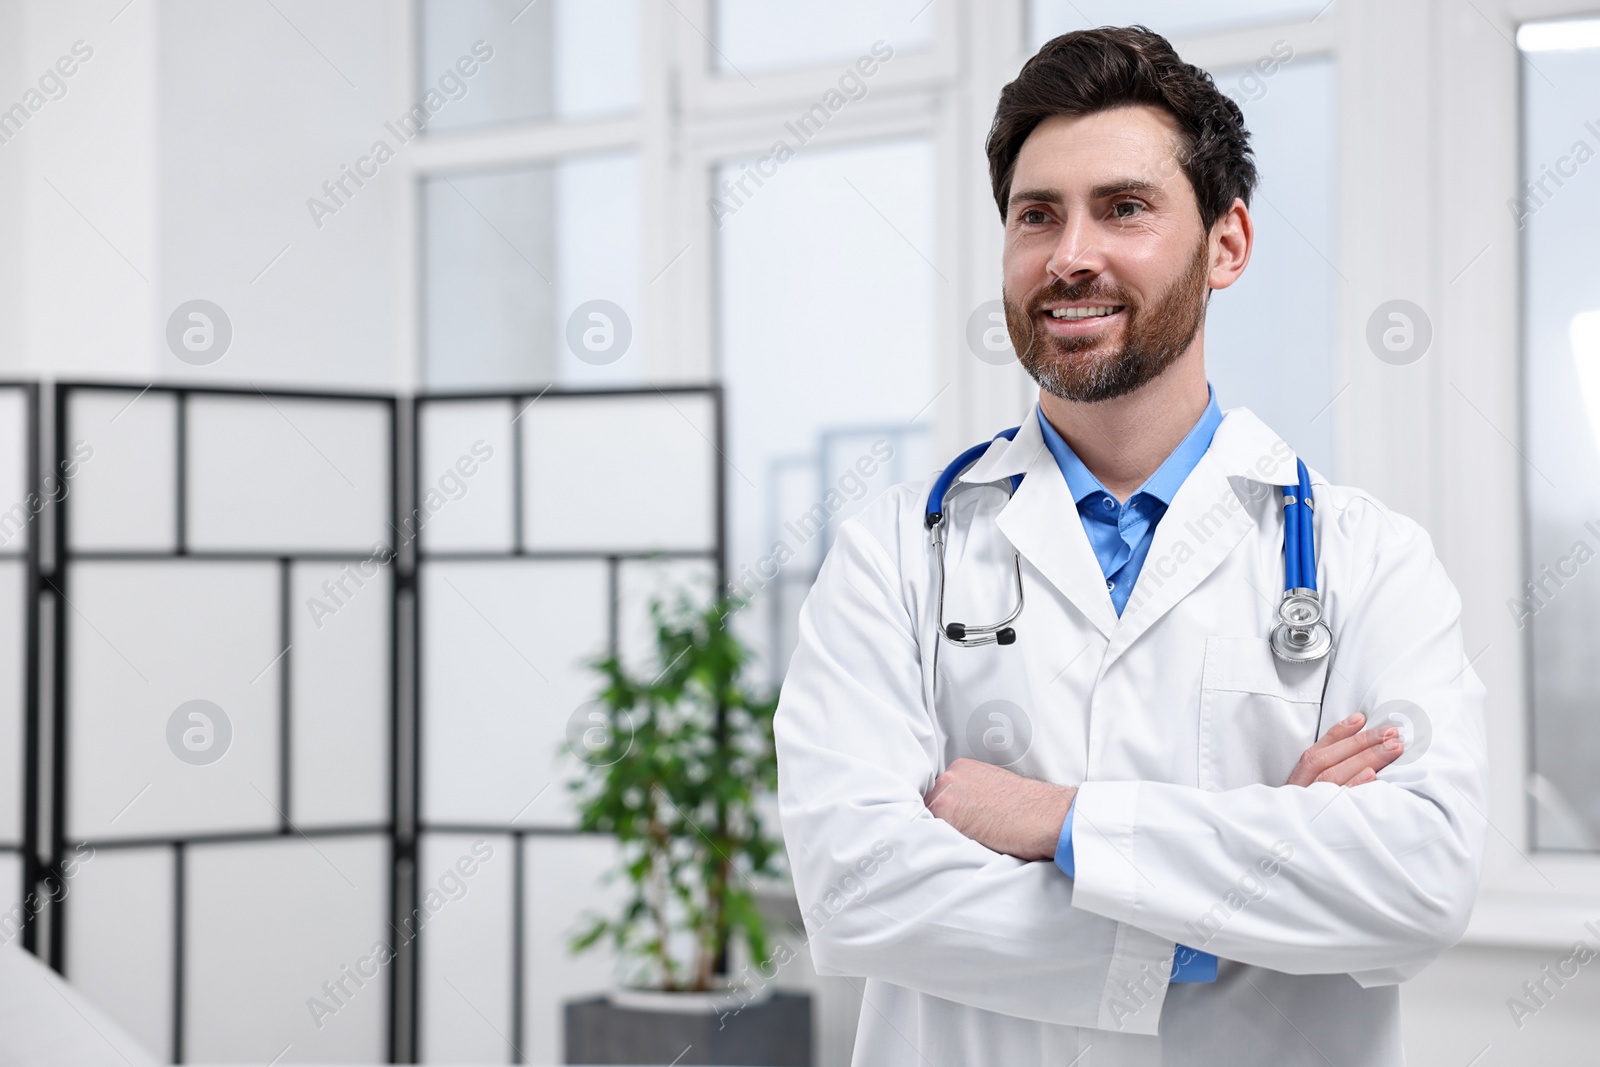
(1126, 439)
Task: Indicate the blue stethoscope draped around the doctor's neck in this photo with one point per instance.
(1300, 634)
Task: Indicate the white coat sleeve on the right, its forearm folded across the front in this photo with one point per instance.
(1374, 881)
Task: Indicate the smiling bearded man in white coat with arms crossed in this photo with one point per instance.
(1130, 836)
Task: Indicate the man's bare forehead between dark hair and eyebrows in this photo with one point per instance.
(1079, 151)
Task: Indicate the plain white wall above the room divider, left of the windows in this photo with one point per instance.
(178, 167)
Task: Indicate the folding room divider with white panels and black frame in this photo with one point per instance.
(292, 695)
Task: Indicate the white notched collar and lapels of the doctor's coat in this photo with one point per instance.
(1199, 530)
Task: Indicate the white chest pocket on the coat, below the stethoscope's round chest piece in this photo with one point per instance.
(1258, 714)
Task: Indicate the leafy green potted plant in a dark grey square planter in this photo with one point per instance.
(676, 767)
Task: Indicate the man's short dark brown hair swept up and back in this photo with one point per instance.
(1092, 71)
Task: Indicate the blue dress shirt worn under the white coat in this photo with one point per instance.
(1121, 537)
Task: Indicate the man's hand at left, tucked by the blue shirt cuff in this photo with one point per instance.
(1004, 812)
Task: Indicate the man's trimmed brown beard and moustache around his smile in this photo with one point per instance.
(1151, 340)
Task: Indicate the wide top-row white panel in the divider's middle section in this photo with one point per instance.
(268, 473)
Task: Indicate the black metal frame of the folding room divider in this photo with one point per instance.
(46, 863)
